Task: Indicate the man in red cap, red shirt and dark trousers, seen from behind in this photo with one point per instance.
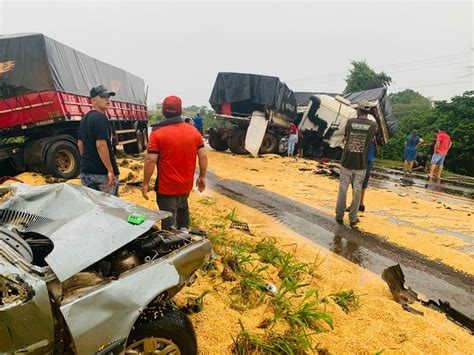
(173, 148)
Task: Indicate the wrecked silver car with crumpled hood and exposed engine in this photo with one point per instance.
(78, 275)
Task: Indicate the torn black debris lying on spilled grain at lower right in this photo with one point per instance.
(395, 279)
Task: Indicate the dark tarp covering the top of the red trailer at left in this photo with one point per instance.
(31, 62)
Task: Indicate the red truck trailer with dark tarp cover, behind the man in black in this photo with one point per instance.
(44, 93)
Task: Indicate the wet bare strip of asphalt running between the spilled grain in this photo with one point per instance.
(432, 278)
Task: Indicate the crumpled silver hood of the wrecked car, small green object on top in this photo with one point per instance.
(84, 225)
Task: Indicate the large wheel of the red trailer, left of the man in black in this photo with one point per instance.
(62, 160)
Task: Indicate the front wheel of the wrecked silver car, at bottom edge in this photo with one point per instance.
(170, 333)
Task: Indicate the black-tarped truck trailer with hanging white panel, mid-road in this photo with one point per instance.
(257, 110)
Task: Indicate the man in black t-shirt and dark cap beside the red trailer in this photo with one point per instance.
(99, 170)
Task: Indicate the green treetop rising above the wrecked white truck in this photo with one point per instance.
(362, 77)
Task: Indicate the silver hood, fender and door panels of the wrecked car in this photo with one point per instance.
(85, 226)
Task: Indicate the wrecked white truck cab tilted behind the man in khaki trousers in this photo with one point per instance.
(322, 119)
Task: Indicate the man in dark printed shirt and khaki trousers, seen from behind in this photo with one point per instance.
(359, 133)
